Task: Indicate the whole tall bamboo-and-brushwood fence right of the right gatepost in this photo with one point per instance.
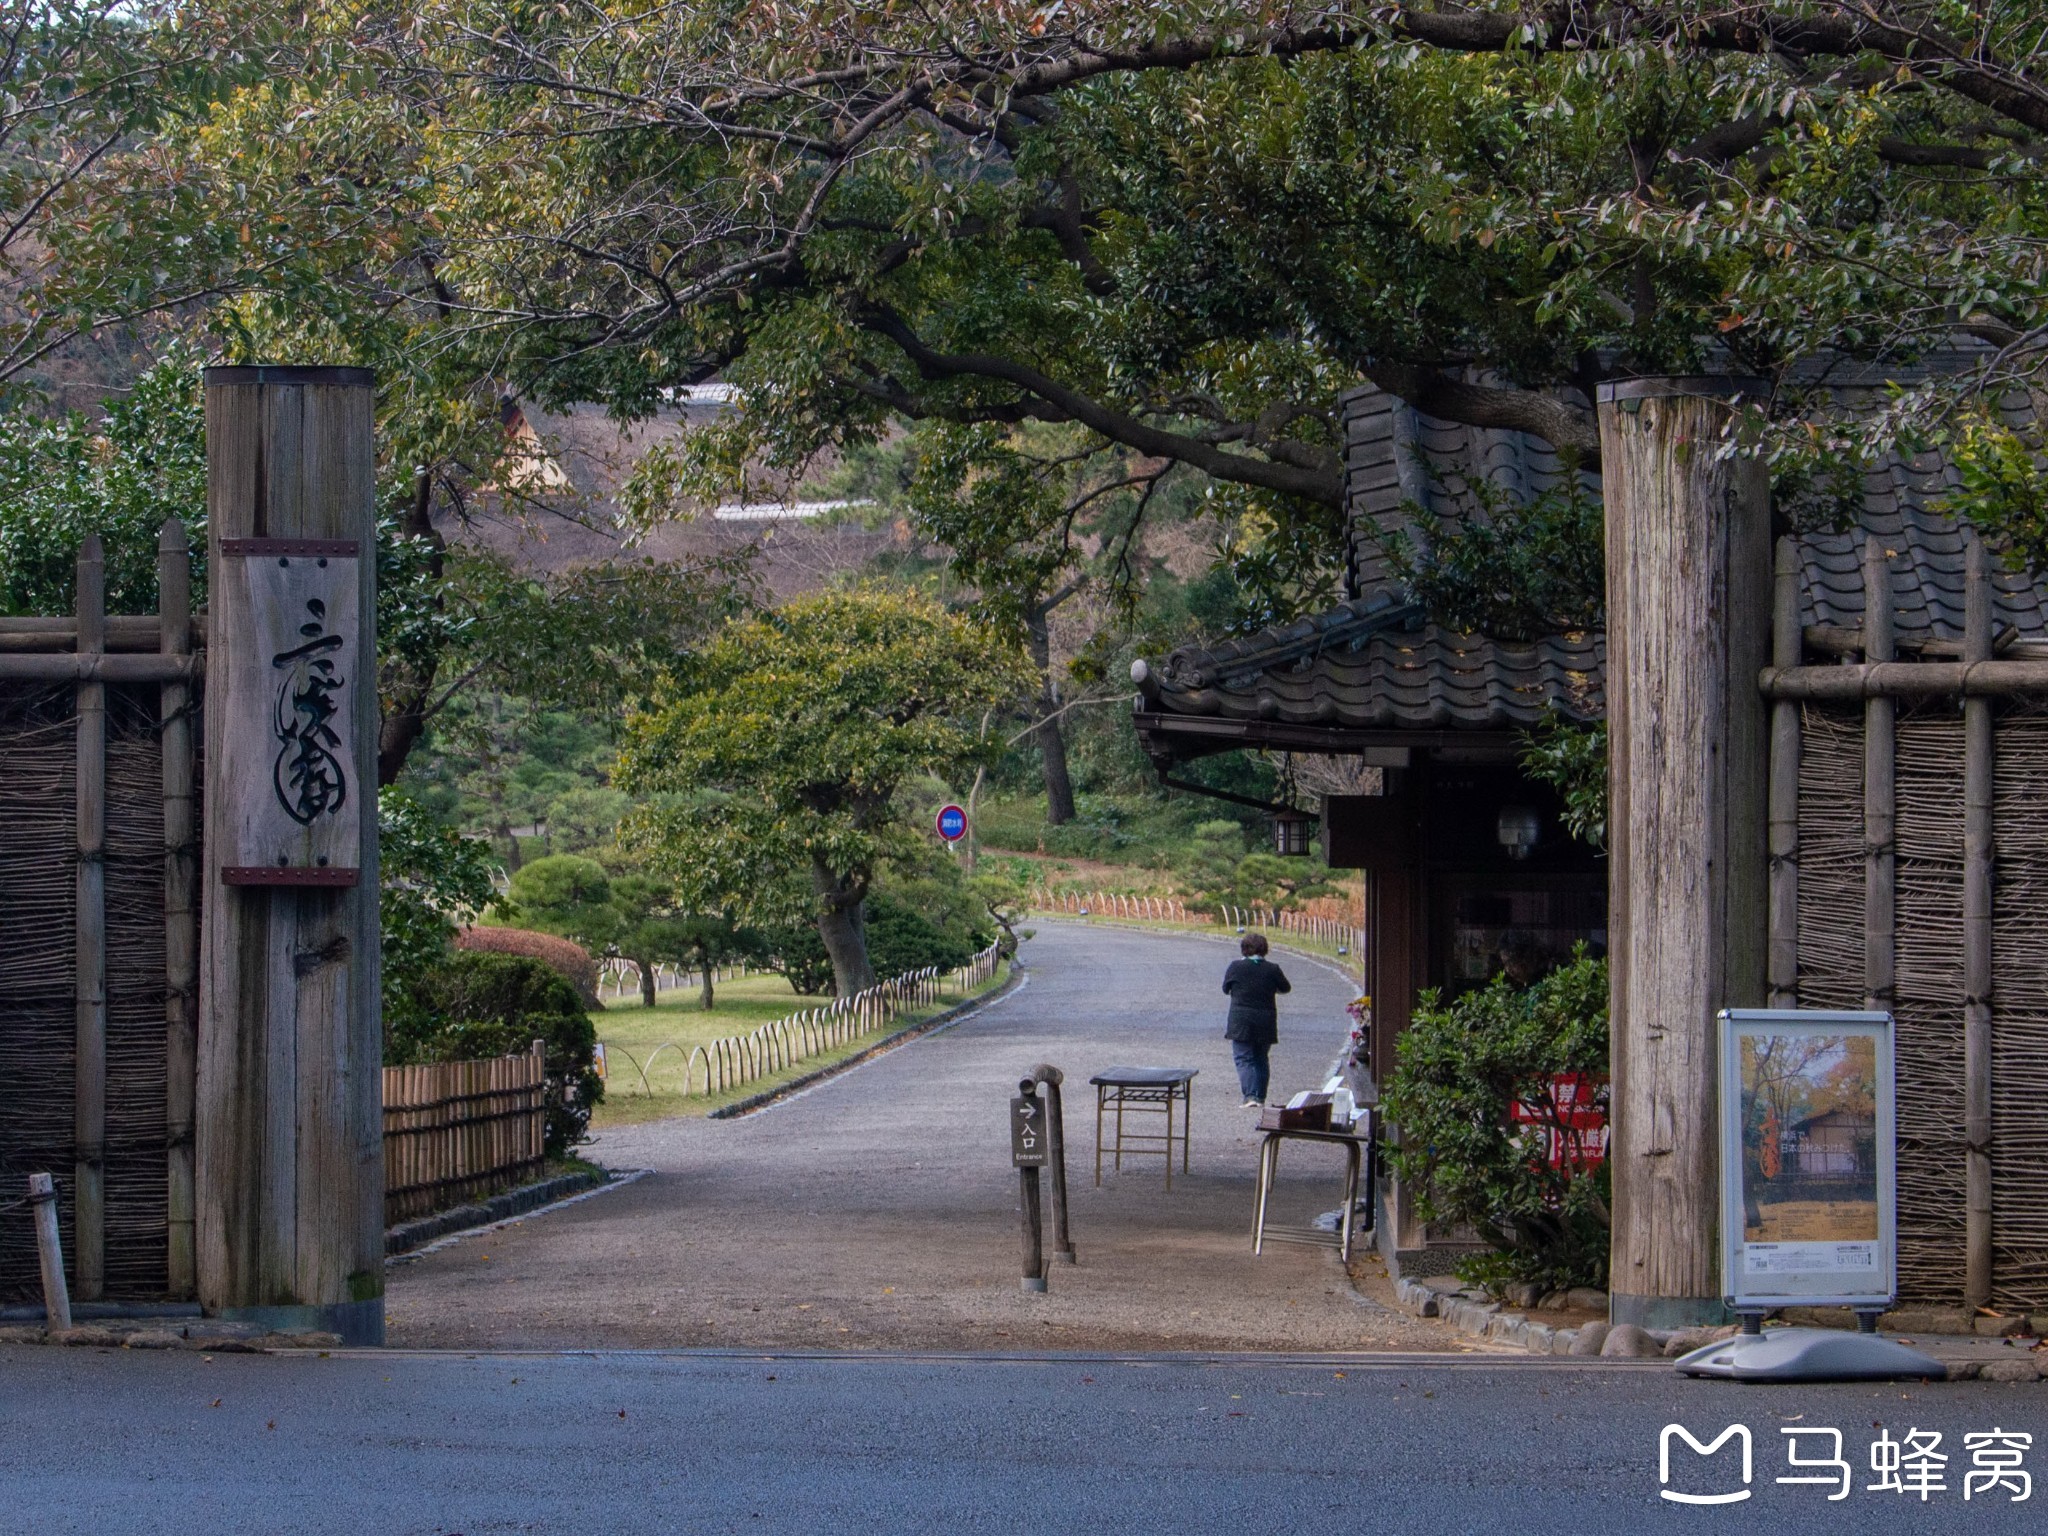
(1910, 871)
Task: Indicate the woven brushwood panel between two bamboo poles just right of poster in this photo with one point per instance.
(1928, 1005)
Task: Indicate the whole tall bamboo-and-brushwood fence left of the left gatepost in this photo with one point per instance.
(97, 900)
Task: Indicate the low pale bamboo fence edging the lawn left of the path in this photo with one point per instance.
(738, 1060)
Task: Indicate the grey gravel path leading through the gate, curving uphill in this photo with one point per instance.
(880, 1207)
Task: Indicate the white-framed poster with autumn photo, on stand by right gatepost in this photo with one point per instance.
(1807, 1158)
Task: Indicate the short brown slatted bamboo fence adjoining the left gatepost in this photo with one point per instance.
(462, 1129)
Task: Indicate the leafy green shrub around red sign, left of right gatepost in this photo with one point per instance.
(1457, 1078)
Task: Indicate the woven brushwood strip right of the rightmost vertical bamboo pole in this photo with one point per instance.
(2020, 1013)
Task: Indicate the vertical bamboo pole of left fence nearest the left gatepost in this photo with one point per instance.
(181, 902)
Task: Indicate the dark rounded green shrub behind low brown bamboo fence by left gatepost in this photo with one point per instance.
(497, 1007)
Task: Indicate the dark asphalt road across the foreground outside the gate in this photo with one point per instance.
(138, 1445)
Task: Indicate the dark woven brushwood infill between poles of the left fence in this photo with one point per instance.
(38, 943)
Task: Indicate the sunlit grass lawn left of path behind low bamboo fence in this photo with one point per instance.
(636, 1033)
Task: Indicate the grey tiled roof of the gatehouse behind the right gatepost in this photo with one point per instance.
(1375, 665)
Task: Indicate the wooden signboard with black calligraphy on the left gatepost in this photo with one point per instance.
(292, 689)
